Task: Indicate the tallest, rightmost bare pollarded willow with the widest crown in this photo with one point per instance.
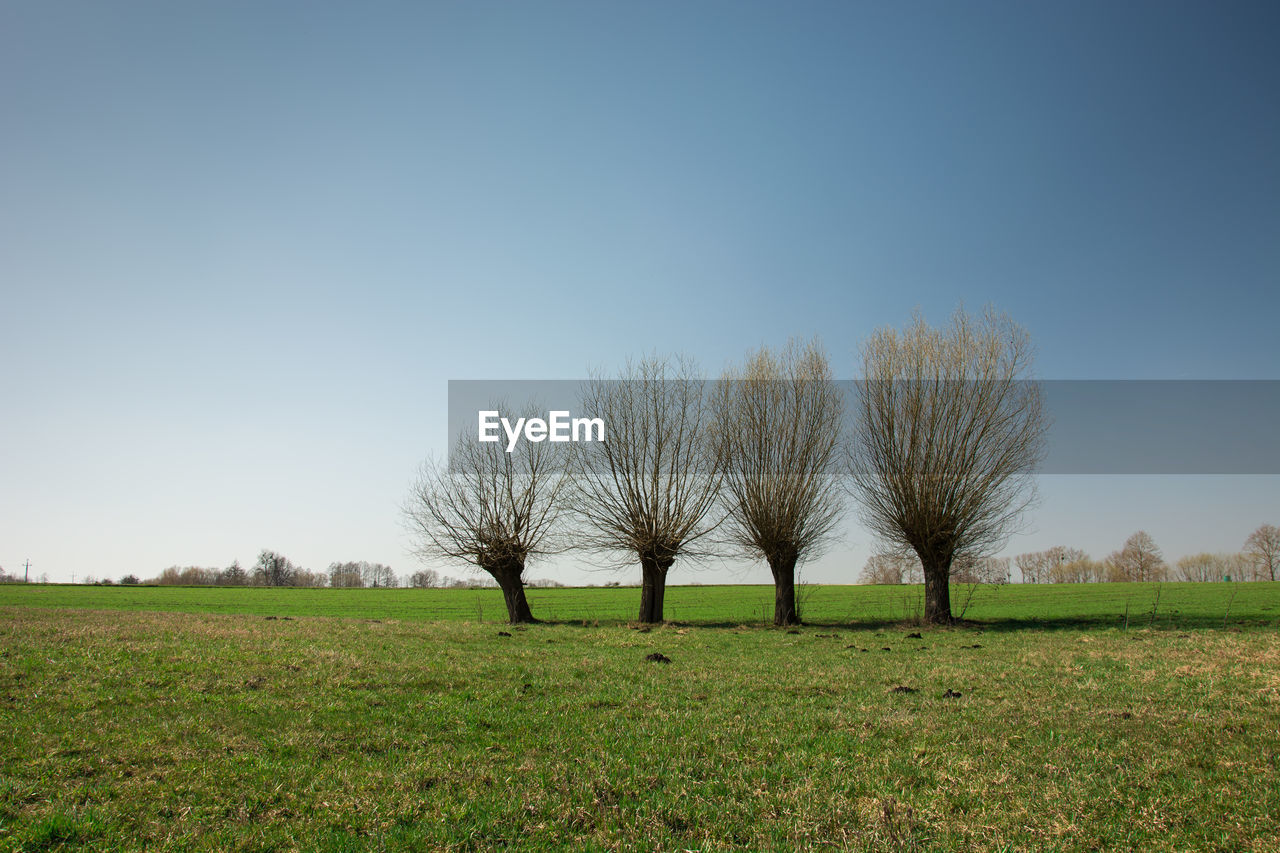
(949, 434)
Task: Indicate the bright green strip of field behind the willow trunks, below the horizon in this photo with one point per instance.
(1121, 605)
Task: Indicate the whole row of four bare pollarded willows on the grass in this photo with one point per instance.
(945, 443)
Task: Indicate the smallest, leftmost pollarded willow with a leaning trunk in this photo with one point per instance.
(492, 509)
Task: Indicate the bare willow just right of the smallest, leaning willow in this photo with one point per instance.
(651, 489)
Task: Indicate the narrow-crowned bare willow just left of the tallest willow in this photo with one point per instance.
(778, 432)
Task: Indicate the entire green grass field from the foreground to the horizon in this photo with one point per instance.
(394, 720)
